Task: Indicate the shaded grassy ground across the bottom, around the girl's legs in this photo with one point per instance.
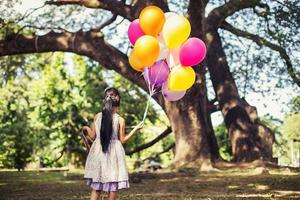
(229, 184)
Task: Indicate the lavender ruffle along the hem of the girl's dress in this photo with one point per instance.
(108, 186)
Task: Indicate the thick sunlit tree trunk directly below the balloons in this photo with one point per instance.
(196, 145)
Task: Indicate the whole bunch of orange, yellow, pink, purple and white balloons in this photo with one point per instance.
(163, 52)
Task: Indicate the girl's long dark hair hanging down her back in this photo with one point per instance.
(111, 99)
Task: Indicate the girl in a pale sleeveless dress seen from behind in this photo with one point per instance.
(105, 166)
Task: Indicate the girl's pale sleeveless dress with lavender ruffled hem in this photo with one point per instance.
(107, 171)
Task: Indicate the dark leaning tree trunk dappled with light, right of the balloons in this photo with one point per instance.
(250, 139)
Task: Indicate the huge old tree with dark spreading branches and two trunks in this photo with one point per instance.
(190, 117)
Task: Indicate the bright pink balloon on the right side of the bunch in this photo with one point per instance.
(192, 52)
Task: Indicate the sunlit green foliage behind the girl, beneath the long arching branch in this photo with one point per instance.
(44, 106)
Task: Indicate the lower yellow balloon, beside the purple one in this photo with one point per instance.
(181, 78)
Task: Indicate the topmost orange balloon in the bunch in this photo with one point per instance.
(152, 19)
